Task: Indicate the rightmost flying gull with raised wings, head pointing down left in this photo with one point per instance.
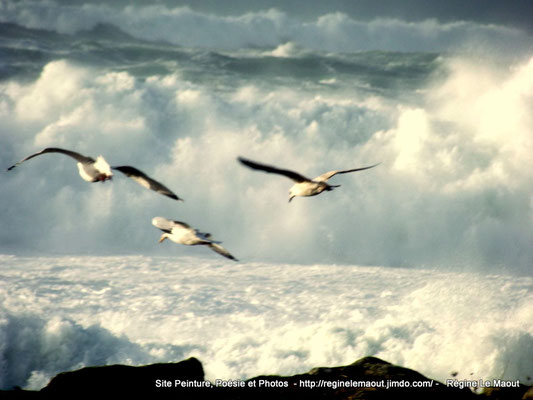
(303, 186)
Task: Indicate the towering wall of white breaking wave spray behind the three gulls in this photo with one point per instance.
(452, 190)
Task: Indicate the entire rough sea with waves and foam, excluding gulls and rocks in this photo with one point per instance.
(425, 260)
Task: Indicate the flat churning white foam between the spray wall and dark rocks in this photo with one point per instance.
(61, 313)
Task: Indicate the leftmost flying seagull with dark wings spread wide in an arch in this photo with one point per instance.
(99, 170)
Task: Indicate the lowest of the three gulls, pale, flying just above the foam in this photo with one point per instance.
(181, 233)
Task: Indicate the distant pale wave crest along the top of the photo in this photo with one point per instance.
(269, 28)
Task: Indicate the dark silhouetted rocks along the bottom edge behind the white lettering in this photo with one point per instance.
(367, 378)
